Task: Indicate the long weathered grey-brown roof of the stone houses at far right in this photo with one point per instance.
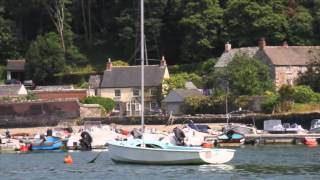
(278, 55)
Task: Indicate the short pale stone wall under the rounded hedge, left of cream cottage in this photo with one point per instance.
(91, 110)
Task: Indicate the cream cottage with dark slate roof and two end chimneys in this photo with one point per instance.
(123, 85)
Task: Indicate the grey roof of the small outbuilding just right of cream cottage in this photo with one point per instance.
(181, 93)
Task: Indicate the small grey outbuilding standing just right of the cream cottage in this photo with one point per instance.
(174, 101)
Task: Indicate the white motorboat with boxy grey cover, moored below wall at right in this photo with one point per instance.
(275, 126)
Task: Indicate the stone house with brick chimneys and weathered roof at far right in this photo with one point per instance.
(285, 62)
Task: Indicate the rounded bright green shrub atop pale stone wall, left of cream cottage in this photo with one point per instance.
(107, 103)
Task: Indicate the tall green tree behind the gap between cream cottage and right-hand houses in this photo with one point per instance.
(201, 24)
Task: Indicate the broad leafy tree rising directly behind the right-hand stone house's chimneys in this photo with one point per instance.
(246, 21)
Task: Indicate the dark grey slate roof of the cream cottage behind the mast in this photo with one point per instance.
(130, 76)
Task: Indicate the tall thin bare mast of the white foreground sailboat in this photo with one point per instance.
(142, 61)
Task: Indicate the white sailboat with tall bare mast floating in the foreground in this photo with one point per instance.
(142, 151)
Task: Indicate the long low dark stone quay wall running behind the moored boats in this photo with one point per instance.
(303, 119)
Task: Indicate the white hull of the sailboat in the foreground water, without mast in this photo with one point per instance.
(168, 155)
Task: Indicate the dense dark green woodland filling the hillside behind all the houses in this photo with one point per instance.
(185, 31)
